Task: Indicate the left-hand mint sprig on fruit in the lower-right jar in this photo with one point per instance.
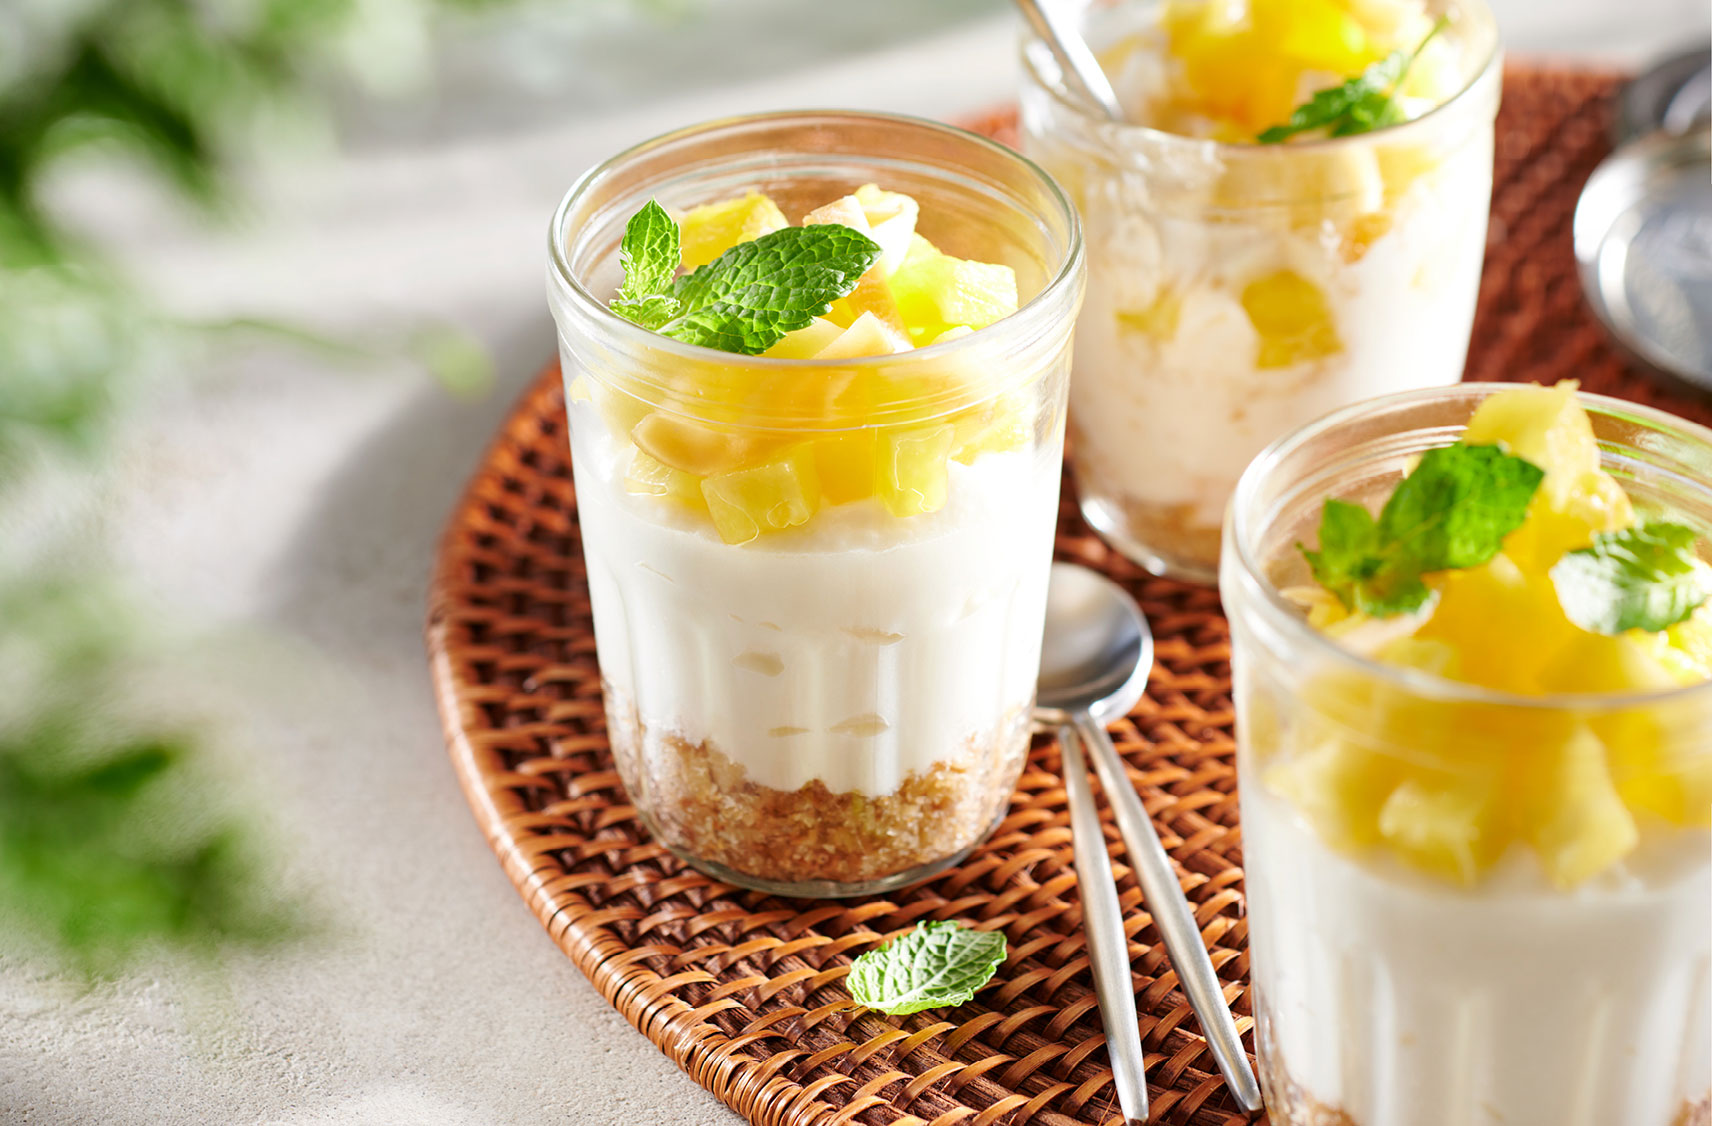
(1453, 513)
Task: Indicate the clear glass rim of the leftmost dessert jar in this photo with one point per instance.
(1031, 319)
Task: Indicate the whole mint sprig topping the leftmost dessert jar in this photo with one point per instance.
(747, 299)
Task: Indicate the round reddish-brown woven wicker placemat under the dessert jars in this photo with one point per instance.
(744, 992)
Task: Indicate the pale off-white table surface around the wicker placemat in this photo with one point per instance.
(292, 509)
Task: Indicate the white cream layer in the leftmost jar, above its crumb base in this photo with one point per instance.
(855, 651)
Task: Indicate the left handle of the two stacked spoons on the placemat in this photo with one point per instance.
(1109, 947)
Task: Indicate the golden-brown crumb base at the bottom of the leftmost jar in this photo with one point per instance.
(704, 805)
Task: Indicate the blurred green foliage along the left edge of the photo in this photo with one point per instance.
(114, 844)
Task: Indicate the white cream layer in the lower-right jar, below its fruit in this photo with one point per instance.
(1405, 1002)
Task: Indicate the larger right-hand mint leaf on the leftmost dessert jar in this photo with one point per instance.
(754, 293)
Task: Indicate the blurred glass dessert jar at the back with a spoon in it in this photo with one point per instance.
(1240, 290)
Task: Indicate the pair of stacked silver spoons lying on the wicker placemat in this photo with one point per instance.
(1095, 663)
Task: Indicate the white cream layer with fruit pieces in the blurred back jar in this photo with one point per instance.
(1175, 422)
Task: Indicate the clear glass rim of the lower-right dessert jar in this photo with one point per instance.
(1288, 619)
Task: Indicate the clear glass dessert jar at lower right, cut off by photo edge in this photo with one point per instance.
(1465, 906)
